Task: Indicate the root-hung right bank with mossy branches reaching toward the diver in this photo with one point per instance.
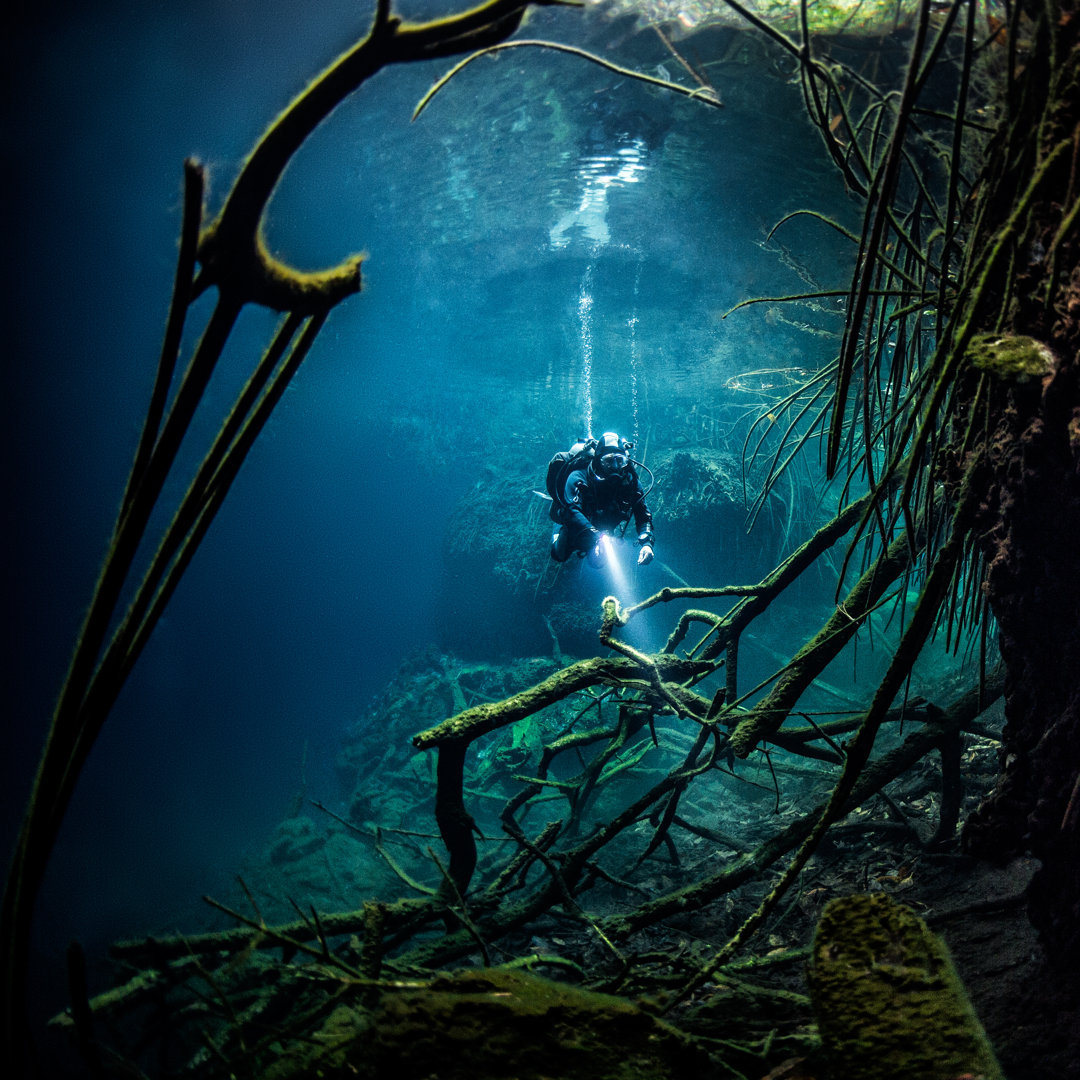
(957, 367)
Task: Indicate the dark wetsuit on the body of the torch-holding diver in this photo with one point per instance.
(591, 503)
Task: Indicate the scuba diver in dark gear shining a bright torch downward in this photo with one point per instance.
(596, 490)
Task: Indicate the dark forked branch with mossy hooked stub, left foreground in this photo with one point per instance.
(233, 260)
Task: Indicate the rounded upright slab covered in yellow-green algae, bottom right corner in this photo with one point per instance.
(888, 1000)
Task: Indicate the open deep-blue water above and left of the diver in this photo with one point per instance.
(532, 182)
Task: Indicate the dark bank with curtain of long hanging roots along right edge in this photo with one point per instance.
(954, 396)
